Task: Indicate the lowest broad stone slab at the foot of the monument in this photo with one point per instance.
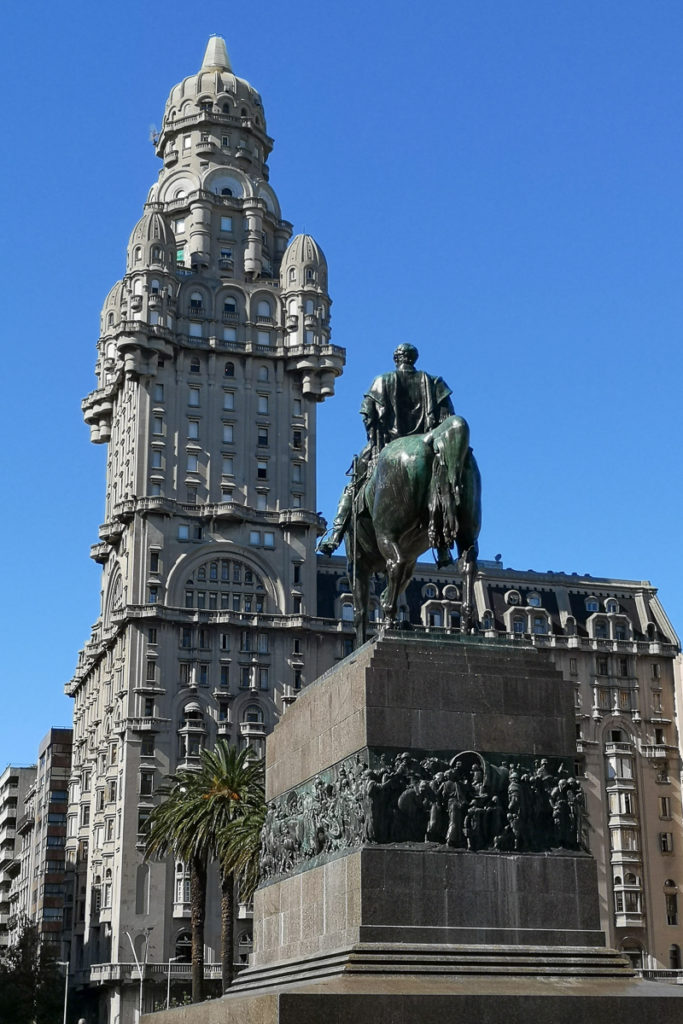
(442, 999)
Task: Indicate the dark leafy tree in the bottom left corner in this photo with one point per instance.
(31, 983)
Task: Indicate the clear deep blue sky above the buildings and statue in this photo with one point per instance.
(499, 182)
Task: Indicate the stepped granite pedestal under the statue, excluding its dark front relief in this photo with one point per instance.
(358, 930)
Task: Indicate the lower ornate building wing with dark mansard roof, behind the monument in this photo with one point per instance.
(614, 643)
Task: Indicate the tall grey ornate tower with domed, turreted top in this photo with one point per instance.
(215, 353)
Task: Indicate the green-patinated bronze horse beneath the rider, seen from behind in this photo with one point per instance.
(424, 492)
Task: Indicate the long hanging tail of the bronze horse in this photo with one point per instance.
(450, 443)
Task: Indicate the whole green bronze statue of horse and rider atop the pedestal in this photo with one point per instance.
(415, 486)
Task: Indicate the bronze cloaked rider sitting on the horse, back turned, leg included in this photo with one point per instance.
(402, 403)
